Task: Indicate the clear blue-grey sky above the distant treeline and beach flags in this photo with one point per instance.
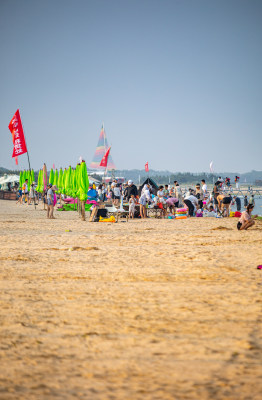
(176, 83)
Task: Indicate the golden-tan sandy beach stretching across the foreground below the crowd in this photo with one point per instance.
(155, 309)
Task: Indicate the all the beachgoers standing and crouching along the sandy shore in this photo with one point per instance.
(197, 201)
